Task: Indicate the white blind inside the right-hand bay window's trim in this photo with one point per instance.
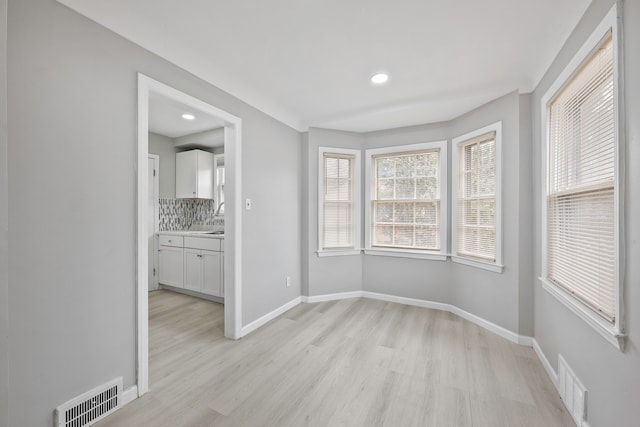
(476, 211)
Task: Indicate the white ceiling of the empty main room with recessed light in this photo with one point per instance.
(307, 62)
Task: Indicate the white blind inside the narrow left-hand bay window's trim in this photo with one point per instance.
(338, 201)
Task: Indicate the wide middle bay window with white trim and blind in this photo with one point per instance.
(406, 201)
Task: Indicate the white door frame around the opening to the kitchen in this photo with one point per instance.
(233, 218)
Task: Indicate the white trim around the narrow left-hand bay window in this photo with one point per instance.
(357, 202)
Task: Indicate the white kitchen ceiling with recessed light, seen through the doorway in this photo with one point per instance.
(165, 118)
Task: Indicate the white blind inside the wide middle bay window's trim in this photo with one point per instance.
(406, 200)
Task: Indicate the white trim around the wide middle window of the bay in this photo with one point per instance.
(440, 255)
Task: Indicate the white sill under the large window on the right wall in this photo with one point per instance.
(608, 331)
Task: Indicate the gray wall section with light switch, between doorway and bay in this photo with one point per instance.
(271, 230)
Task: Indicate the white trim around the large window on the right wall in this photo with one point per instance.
(613, 333)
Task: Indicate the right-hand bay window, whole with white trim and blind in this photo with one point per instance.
(477, 233)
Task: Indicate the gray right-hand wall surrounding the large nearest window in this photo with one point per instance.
(610, 376)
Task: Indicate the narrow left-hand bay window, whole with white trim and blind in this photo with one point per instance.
(339, 202)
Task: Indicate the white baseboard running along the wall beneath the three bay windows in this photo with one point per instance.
(496, 329)
